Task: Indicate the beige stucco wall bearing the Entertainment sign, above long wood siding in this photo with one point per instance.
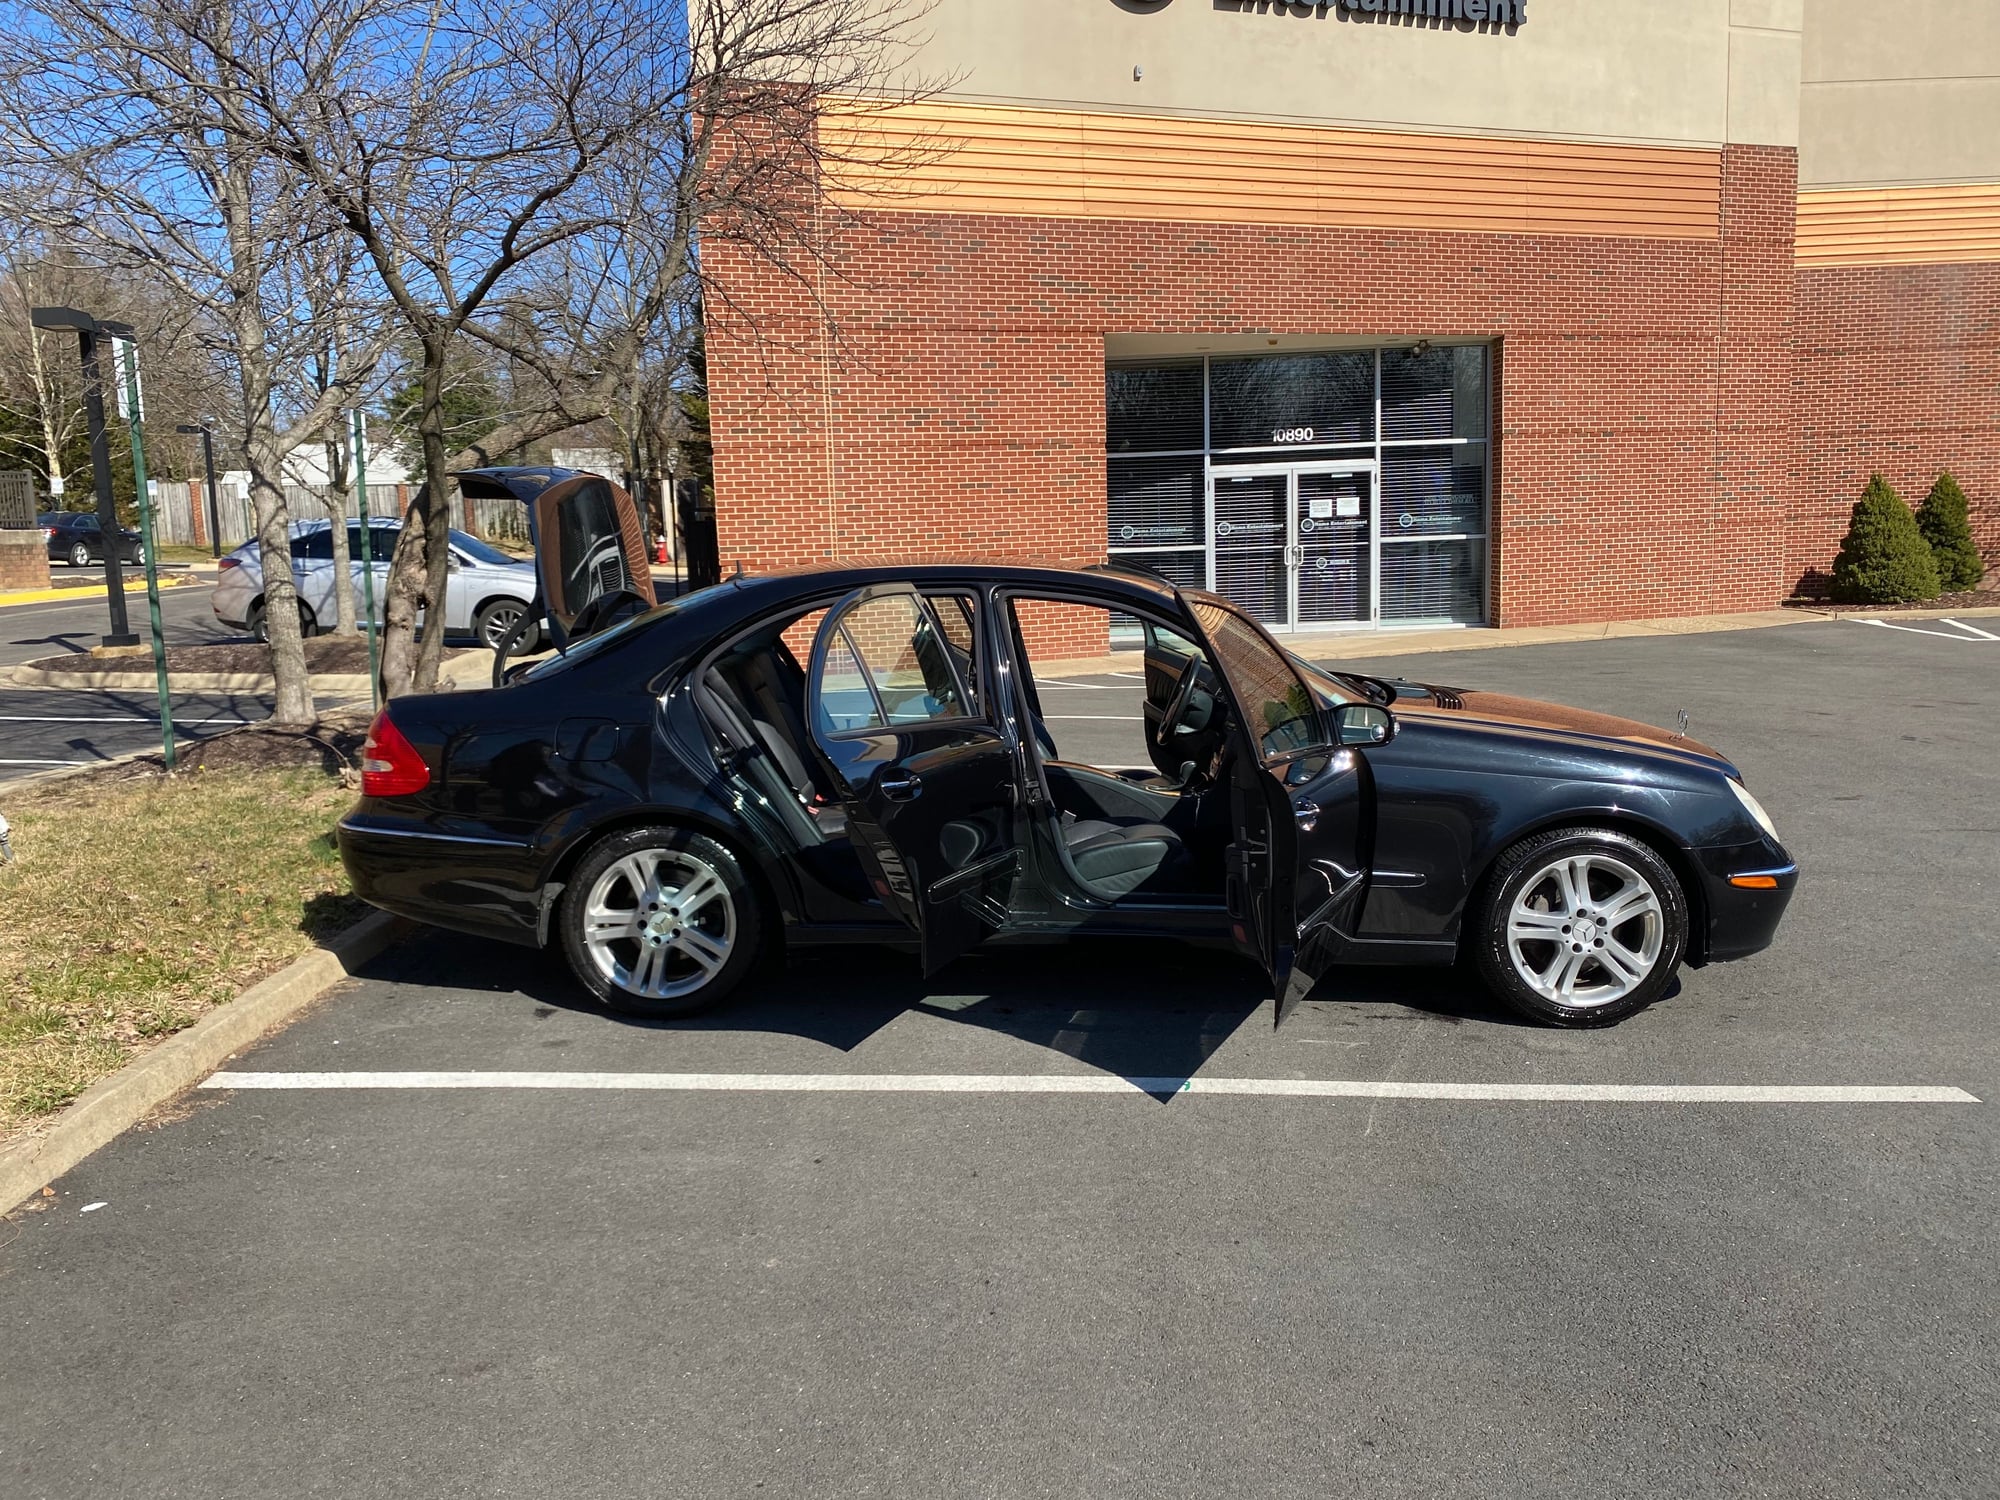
(1679, 73)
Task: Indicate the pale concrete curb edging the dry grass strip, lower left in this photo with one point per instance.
(117, 1103)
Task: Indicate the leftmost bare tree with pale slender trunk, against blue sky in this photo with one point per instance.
(135, 129)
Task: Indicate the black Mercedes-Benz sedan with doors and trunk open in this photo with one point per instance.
(873, 755)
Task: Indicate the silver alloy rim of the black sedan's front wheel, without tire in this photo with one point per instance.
(1585, 931)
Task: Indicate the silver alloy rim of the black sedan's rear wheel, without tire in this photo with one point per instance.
(659, 923)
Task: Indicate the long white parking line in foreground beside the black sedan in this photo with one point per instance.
(891, 1083)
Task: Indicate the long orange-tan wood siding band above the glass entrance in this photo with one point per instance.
(957, 159)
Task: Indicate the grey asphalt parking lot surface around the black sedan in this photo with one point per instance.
(753, 1283)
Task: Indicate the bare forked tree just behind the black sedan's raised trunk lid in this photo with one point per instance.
(479, 143)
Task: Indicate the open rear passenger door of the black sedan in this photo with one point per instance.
(929, 783)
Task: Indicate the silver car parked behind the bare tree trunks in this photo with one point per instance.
(487, 593)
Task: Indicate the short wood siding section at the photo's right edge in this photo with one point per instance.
(1899, 227)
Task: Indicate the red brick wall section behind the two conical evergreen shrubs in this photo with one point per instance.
(1899, 373)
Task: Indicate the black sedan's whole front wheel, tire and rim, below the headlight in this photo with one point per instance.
(1581, 927)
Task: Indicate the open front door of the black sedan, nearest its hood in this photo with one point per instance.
(1297, 869)
